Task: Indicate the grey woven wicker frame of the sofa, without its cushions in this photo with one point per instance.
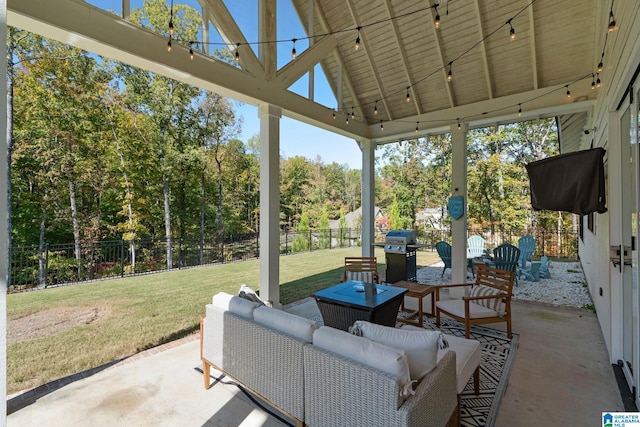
(316, 387)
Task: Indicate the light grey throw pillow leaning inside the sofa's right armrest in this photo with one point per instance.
(420, 345)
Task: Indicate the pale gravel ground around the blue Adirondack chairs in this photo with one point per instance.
(567, 286)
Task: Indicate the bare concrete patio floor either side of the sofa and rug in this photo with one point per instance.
(561, 376)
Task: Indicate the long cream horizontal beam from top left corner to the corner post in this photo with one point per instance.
(94, 30)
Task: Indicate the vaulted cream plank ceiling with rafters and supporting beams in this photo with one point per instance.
(557, 46)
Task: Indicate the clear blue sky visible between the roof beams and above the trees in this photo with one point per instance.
(296, 138)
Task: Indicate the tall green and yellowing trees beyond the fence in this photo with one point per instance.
(102, 150)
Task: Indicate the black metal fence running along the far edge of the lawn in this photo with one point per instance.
(33, 267)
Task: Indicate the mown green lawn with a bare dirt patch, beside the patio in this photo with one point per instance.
(137, 313)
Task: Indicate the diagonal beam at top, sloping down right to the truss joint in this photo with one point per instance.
(220, 17)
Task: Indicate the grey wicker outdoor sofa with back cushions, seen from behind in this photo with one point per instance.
(274, 354)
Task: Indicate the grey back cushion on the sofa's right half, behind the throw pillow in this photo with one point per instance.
(384, 358)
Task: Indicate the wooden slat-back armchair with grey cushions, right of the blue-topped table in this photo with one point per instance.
(489, 300)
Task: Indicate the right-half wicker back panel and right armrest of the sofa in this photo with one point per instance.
(340, 391)
